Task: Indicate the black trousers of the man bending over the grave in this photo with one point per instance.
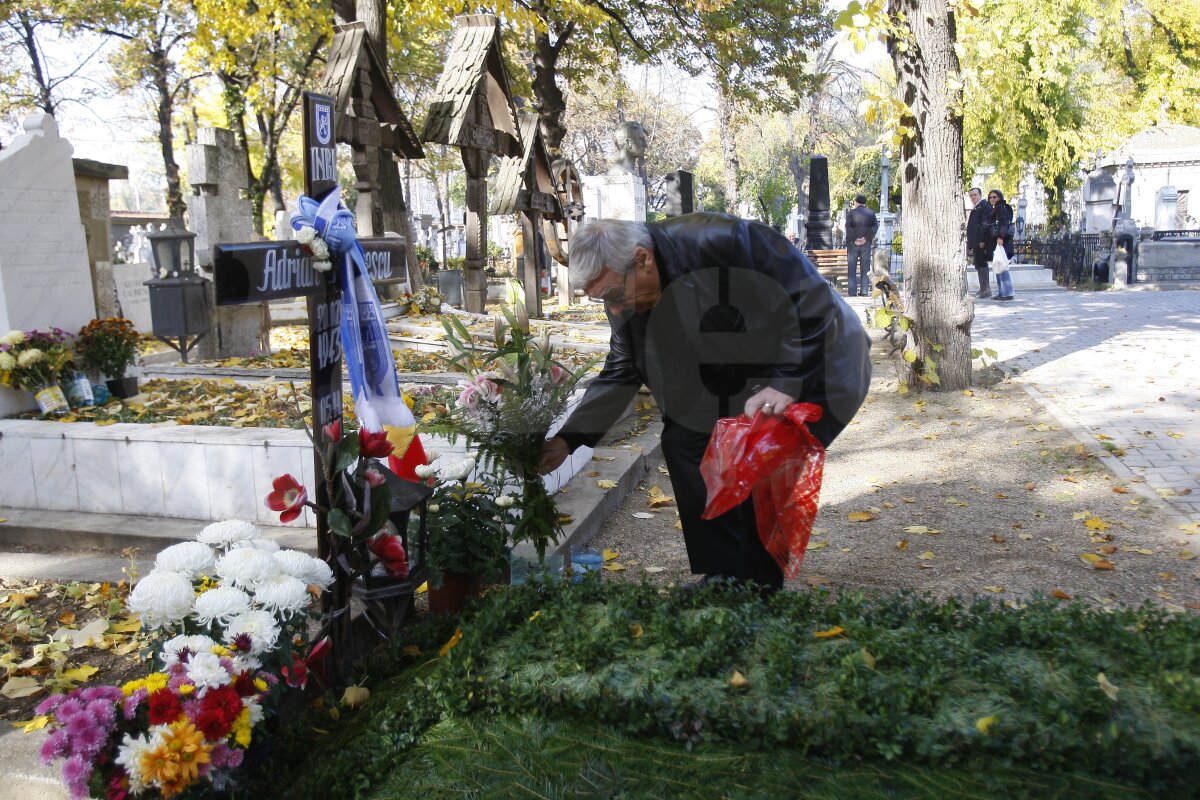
(725, 546)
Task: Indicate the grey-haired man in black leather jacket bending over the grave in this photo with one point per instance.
(718, 316)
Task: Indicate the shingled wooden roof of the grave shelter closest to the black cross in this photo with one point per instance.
(355, 63)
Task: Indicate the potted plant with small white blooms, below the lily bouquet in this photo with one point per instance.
(469, 536)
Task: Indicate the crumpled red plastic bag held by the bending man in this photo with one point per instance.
(781, 462)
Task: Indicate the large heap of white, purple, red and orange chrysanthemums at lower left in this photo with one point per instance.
(226, 610)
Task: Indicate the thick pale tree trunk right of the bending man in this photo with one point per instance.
(932, 184)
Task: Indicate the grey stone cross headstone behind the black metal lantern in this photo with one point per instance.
(219, 213)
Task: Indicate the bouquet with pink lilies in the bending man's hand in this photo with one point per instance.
(514, 394)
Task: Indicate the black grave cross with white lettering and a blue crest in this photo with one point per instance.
(277, 270)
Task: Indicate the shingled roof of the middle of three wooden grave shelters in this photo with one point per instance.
(475, 73)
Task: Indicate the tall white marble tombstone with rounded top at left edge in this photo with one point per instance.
(45, 273)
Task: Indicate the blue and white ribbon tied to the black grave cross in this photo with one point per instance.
(373, 370)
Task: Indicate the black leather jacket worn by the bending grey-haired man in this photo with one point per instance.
(781, 326)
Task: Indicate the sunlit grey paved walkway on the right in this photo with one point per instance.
(1118, 369)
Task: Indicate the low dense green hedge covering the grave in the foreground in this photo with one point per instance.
(910, 681)
